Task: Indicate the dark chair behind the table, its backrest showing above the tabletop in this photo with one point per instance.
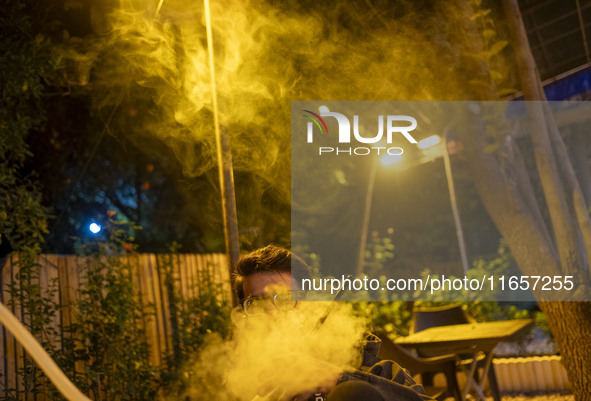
(423, 318)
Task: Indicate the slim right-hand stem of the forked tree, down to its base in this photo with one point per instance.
(570, 322)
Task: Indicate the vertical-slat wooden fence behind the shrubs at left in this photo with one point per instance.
(189, 272)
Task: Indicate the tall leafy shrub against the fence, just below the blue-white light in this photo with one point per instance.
(108, 333)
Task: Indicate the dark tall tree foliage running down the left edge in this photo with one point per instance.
(25, 65)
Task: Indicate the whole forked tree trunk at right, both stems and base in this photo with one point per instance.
(504, 186)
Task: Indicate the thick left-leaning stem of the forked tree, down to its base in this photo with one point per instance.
(570, 322)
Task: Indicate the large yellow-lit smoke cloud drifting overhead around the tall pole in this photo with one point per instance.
(267, 54)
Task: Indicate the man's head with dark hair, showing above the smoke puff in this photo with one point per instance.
(265, 267)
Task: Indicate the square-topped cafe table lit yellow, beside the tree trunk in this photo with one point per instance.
(473, 339)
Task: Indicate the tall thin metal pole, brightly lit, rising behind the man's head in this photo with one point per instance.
(224, 157)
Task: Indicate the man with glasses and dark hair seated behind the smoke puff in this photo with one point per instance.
(375, 380)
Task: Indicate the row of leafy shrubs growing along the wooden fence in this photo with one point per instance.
(107, 336)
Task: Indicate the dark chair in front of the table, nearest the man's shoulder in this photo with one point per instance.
(445, 364)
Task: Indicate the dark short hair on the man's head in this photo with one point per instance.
(271, 258)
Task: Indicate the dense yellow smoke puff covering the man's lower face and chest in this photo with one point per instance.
(279, 353)
